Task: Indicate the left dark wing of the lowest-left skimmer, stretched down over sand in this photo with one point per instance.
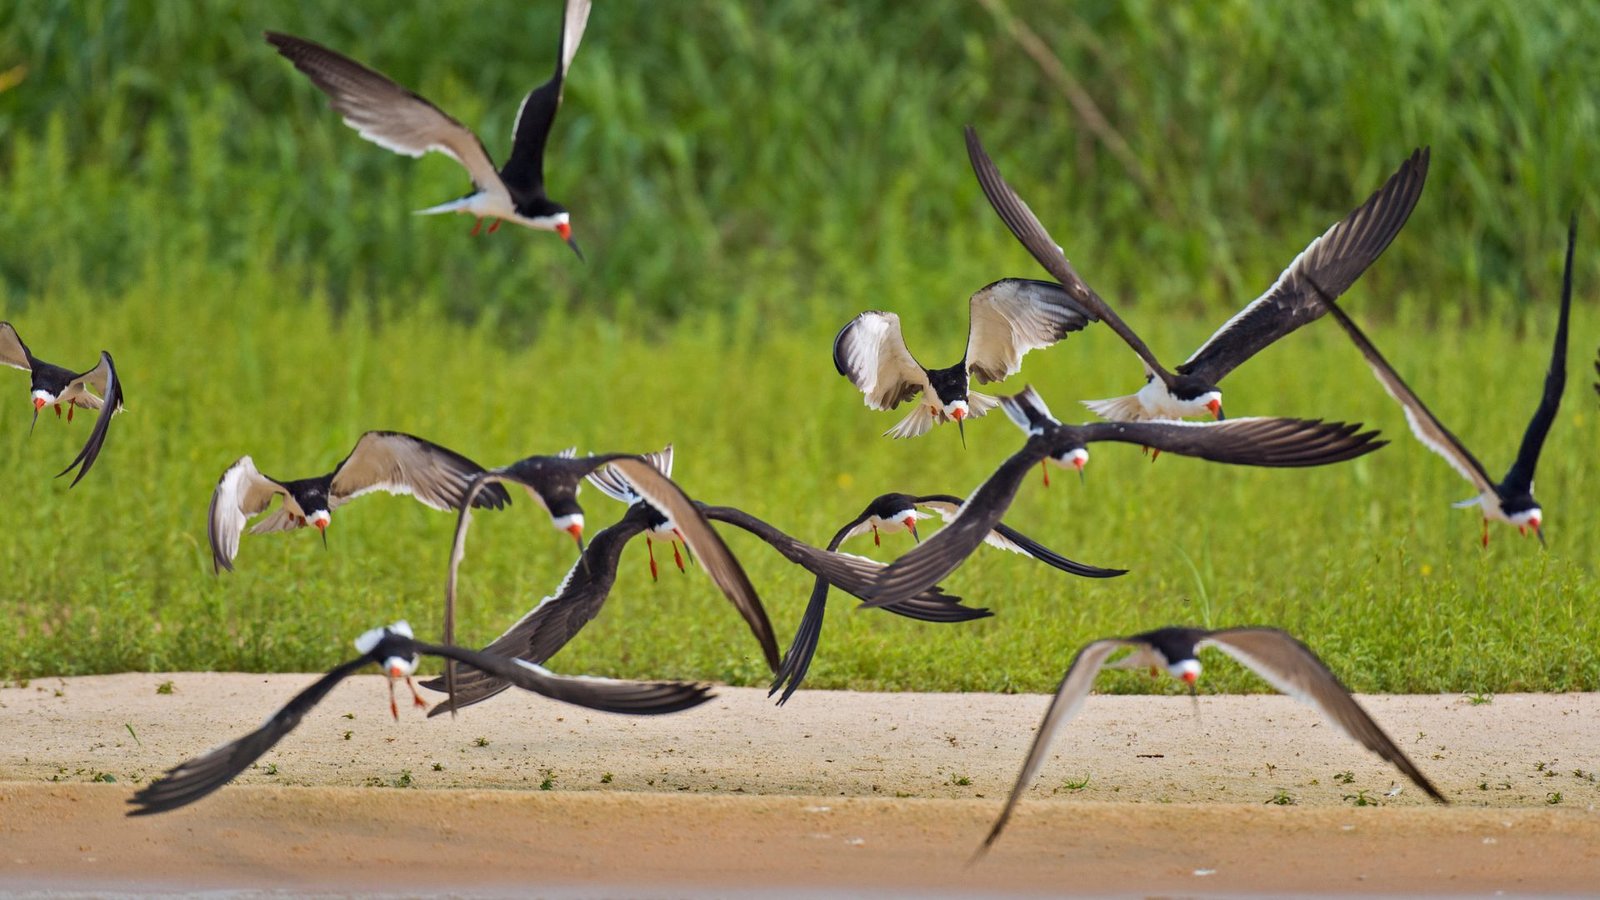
(191, 781)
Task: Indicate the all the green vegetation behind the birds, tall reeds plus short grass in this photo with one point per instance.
(745, 179)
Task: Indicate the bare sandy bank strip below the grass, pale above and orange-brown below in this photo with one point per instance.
(836, 795)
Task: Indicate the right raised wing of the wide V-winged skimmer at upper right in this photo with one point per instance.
(1335, 260)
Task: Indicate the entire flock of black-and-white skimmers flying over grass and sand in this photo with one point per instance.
(1009, 319)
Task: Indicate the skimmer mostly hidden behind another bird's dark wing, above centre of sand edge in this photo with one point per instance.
(900, 513)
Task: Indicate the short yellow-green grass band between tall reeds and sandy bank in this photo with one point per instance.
(1366, 561)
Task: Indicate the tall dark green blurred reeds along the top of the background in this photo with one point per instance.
(799, 158)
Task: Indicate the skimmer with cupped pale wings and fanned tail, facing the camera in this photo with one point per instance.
(1007, 319)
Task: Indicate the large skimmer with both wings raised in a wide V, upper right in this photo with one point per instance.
(1335, 259)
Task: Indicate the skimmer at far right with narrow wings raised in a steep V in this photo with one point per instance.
(1511, 500)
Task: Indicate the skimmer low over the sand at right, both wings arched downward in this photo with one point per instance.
(1276, 656)
